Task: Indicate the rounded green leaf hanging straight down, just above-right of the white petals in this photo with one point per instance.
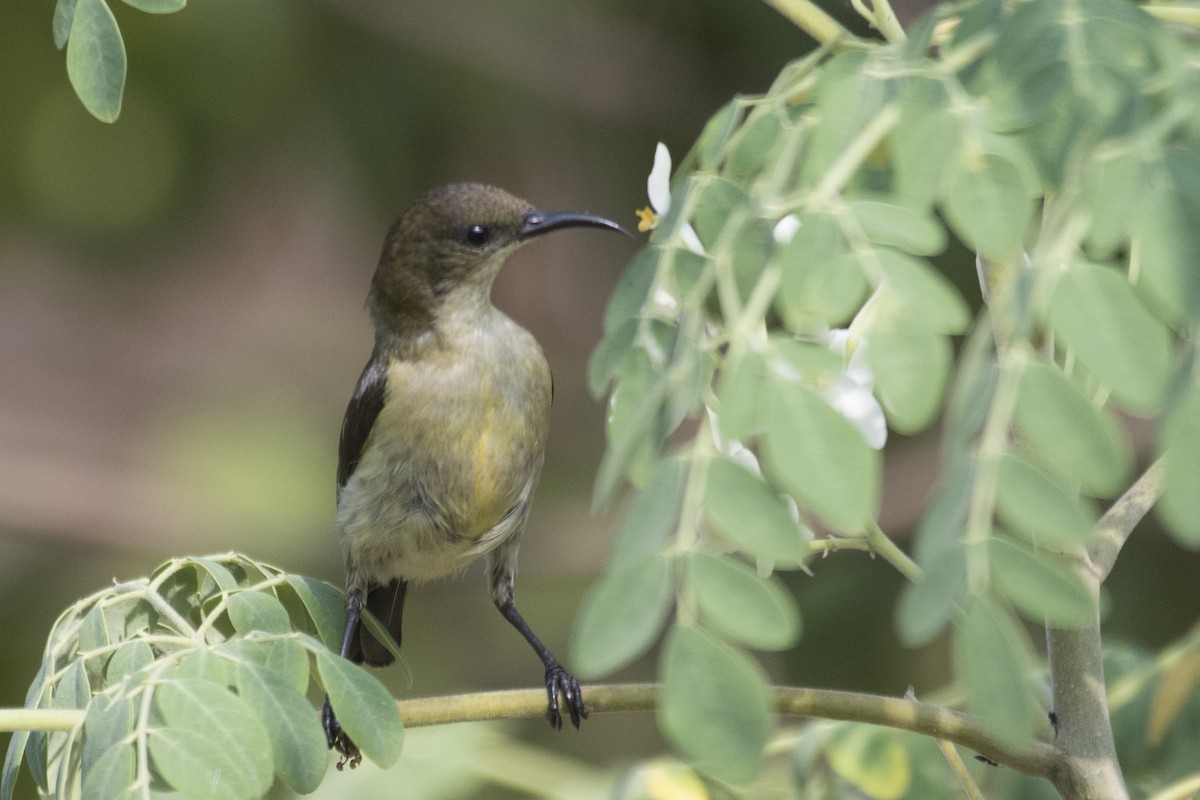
(910, 365)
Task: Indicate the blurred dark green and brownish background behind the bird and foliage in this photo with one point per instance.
(182, 314)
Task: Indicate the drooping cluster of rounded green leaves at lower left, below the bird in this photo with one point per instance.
(196, 681)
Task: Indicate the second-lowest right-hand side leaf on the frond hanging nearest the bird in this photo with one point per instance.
(752, 516)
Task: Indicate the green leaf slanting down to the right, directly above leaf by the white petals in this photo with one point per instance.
(927, 297)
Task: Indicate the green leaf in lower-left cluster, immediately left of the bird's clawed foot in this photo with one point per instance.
(298, 744)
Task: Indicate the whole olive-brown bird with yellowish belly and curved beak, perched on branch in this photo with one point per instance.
(443, 440)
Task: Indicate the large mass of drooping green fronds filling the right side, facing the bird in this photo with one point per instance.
(1057, 142)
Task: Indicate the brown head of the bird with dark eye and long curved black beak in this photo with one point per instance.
(458, 238)
